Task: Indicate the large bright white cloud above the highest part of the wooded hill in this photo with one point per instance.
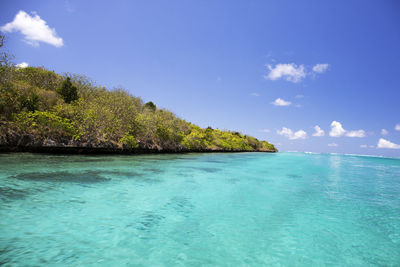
(34, 29)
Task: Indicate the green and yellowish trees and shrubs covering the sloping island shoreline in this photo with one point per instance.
(72, 111)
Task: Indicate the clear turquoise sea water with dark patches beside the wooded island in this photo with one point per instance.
(239, 209)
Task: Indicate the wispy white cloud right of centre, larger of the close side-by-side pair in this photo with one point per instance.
(291, 72)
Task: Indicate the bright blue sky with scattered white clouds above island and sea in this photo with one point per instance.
(318, 76)
